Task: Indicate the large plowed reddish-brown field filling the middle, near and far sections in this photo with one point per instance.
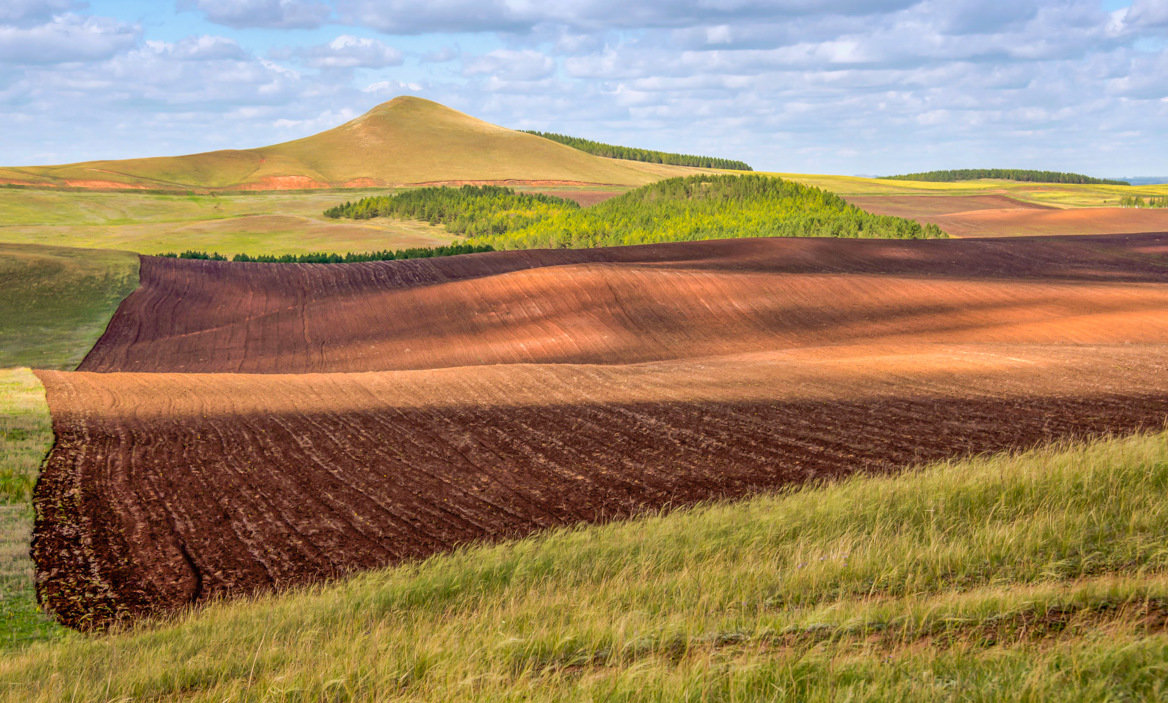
(247, 427)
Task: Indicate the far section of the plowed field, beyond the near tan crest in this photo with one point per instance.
(630, 305)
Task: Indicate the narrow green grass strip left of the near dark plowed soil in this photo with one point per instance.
(25, 440)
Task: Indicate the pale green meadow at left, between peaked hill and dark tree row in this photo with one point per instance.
(154, 224)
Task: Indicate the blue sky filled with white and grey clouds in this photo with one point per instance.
(843, 87)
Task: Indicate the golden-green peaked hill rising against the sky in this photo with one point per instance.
(405, 142)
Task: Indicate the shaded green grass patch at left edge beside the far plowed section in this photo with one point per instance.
(58, 302)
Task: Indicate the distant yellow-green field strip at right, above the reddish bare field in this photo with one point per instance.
(1049, 194)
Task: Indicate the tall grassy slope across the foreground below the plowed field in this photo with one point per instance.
(1033, 577)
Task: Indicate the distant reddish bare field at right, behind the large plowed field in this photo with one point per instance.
(1000, 217)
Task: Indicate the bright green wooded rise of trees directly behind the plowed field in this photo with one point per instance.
(701, 207)
